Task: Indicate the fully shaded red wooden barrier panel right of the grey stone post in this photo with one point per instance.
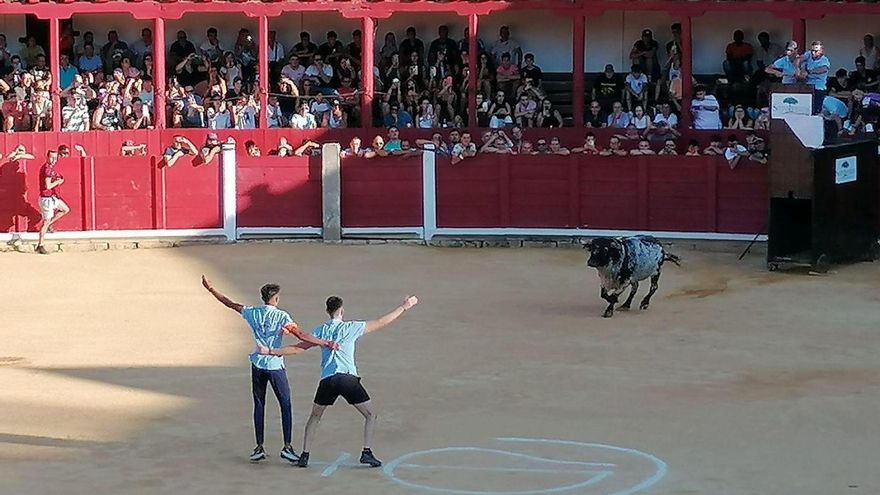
(385, 192)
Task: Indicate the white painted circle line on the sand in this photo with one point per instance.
(593, 468)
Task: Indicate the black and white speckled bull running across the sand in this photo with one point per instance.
(625, 261)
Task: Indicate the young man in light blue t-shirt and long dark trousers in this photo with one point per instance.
(269, 324)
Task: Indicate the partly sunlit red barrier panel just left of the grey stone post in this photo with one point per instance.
(279, 191)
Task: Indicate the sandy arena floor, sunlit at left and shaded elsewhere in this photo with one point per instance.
(121, 375)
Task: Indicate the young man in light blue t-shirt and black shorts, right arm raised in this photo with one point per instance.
(338, 371)
